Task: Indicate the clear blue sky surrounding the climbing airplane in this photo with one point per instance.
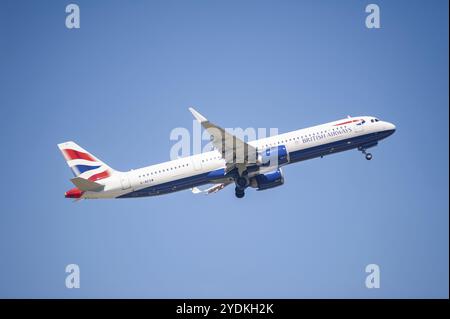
(124, 80)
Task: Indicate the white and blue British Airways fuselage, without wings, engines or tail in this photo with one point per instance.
(200, 169)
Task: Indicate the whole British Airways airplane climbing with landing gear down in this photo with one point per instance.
(255, 164)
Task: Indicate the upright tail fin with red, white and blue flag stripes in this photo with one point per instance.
(83, 164)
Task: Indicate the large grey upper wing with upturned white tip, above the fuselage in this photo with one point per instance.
(235, 151)
